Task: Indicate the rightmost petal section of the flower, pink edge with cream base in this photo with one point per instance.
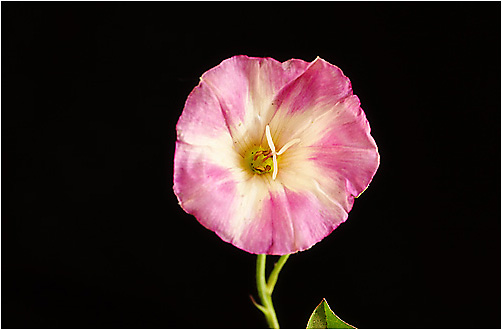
(336, 158)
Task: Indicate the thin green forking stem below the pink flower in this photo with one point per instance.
(265, 288)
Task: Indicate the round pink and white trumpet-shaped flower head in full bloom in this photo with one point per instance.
(270, 155)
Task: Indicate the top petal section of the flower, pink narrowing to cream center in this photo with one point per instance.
(245, 88)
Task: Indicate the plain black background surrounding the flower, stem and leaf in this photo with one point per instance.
(93, 237)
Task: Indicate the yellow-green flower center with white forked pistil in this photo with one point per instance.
(264, 160)
